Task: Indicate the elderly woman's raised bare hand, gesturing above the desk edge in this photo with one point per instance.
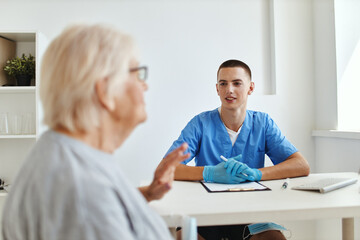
(164, 174)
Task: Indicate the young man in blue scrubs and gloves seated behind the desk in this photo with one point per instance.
(243, 137)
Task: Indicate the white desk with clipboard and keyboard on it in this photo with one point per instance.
(191, 199)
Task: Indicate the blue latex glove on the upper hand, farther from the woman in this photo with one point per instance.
(236, 168)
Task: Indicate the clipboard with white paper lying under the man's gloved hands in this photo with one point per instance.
(241, 187)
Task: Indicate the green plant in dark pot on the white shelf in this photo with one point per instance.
(23, 69)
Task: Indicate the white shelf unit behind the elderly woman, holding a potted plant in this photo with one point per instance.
(15, 99)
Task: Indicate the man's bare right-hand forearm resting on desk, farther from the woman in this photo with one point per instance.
(295, 166)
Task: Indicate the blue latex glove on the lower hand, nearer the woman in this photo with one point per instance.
(218, 174)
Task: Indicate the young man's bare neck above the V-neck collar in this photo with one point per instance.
(233, 118)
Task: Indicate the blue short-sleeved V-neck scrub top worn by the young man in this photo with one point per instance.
(208, 139)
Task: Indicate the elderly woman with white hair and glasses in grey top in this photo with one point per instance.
(70, 186)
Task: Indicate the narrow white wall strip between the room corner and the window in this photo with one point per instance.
(325, 65)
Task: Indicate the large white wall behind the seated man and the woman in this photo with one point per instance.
(183, 43)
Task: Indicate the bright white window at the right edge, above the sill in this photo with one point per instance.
(347, 29)
